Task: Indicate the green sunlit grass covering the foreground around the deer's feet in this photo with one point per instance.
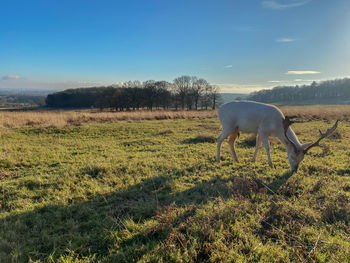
(152, 192)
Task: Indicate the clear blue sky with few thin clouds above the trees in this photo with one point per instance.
(240, 45)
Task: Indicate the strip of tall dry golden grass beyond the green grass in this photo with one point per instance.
(16, 119)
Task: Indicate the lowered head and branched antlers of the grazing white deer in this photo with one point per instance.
(297, 153)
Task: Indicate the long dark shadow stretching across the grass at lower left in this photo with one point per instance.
(89, 227)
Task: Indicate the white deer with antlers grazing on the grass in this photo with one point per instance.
(264, 120)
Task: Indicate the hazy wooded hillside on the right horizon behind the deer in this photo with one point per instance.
(330, 91)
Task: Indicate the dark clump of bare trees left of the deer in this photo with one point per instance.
(186, 92)
